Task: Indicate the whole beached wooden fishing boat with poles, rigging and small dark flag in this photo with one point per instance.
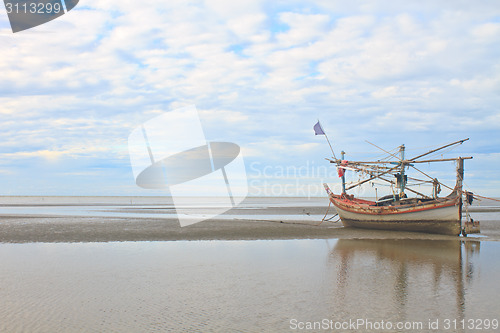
(397, 211)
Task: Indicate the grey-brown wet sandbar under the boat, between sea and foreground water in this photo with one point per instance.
(15, 229)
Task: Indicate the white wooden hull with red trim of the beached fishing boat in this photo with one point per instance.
(440, 217)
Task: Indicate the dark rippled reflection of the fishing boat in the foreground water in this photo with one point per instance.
(401, 280)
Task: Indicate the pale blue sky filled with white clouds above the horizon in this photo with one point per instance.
(261, 74)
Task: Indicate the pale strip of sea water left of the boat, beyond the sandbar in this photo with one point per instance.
(257, 208)
